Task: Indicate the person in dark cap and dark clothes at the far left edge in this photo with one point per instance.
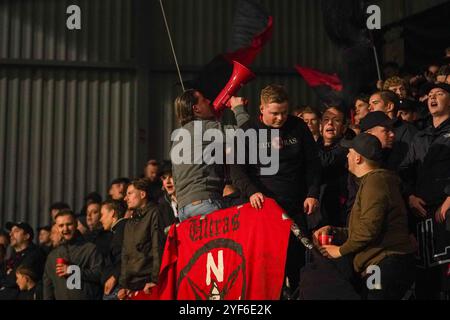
(26, 253)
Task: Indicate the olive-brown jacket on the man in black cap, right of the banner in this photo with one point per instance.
(378, 222)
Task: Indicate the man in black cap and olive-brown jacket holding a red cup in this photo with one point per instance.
(377, 232)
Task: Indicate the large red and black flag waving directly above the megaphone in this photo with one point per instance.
(252, 29)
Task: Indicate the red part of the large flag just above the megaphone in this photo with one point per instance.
(247, 55)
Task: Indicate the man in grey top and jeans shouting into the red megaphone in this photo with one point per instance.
(198, 180)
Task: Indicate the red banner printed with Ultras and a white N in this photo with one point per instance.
(244, 250)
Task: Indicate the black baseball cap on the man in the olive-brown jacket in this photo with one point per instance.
(366, 145)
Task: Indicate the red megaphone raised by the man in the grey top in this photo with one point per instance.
(240, 76)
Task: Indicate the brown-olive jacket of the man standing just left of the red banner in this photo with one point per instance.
(142, 248)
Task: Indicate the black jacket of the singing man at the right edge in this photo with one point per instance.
(426, 168)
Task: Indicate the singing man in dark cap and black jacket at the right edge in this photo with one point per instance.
(426, 176)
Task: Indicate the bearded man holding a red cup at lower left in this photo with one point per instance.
(72, 251)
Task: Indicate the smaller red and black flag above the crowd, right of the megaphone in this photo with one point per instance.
(328, 87)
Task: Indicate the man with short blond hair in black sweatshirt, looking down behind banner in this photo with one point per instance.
(295, 186)
